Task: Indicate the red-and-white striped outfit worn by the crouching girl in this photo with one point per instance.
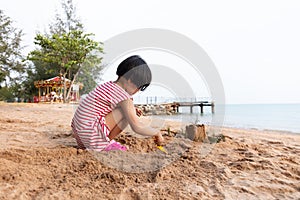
(88, 124)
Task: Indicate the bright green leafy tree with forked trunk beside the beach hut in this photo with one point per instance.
(69, 50)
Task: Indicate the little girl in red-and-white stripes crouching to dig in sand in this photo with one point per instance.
(108, 109)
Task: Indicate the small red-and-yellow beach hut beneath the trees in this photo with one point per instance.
(52, 89)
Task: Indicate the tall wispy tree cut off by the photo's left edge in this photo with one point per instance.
(10, 50)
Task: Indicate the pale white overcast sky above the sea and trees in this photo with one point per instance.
(255, 45)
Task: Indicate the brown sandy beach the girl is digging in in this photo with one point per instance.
(39, 160)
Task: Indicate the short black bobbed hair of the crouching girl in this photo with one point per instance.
(137, 70)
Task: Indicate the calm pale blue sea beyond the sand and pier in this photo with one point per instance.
(277, 117)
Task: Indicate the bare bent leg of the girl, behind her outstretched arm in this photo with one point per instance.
(116, 122)
